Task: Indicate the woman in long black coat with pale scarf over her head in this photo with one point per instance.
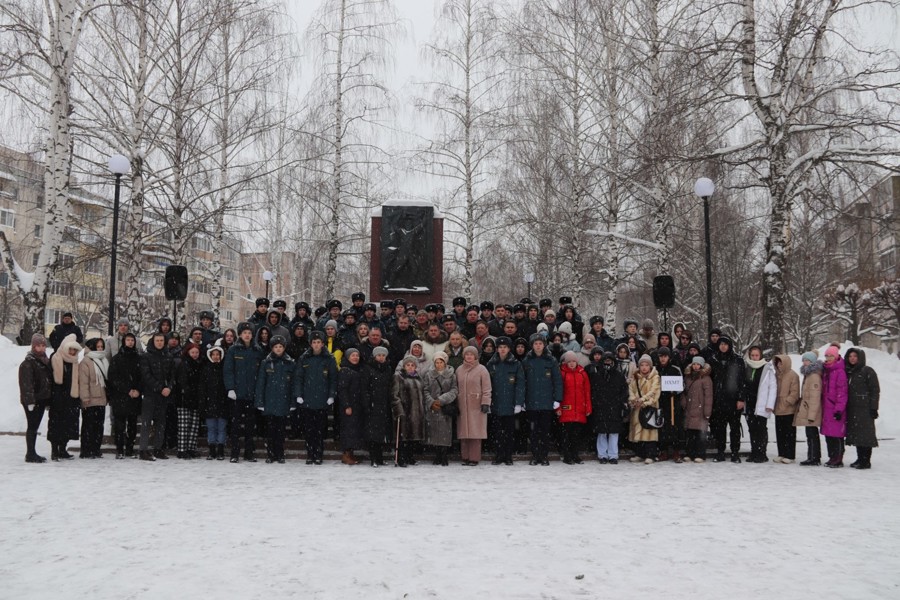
(64, 406)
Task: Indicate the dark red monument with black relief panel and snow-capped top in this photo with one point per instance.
(407, 250)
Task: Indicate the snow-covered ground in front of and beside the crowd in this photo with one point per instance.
(175, 529)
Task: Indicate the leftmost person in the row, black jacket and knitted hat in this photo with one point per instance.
(35, 378)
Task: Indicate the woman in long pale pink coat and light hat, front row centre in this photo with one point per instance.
(474, 383)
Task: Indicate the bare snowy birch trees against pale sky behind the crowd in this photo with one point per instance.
(558, 137)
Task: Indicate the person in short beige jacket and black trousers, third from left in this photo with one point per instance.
(93, 371)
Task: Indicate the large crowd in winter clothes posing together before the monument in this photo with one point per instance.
(523, 378)
